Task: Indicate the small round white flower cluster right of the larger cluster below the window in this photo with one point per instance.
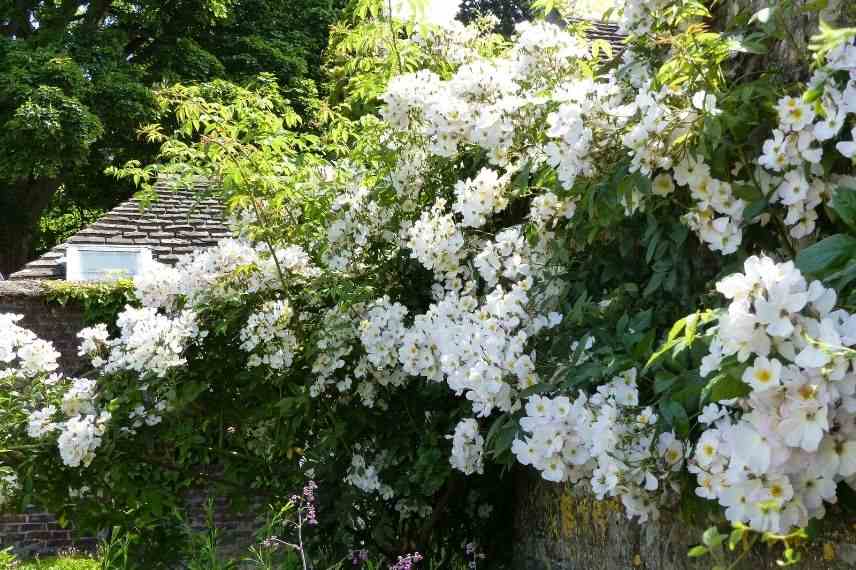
(267, 338)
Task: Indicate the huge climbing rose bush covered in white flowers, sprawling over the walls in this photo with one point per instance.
(496, 266)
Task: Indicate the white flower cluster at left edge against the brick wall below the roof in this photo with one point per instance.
(22, 352)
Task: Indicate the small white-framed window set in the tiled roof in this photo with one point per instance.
(105, 262)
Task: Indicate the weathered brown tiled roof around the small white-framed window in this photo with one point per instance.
(177, 222)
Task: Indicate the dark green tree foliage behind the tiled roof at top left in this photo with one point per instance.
(78, 82)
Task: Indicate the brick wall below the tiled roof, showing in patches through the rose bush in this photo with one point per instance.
(39, 533)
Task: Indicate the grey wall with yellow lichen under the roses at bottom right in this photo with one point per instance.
(557, 528)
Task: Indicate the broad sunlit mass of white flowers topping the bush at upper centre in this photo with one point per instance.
(485, 102)
